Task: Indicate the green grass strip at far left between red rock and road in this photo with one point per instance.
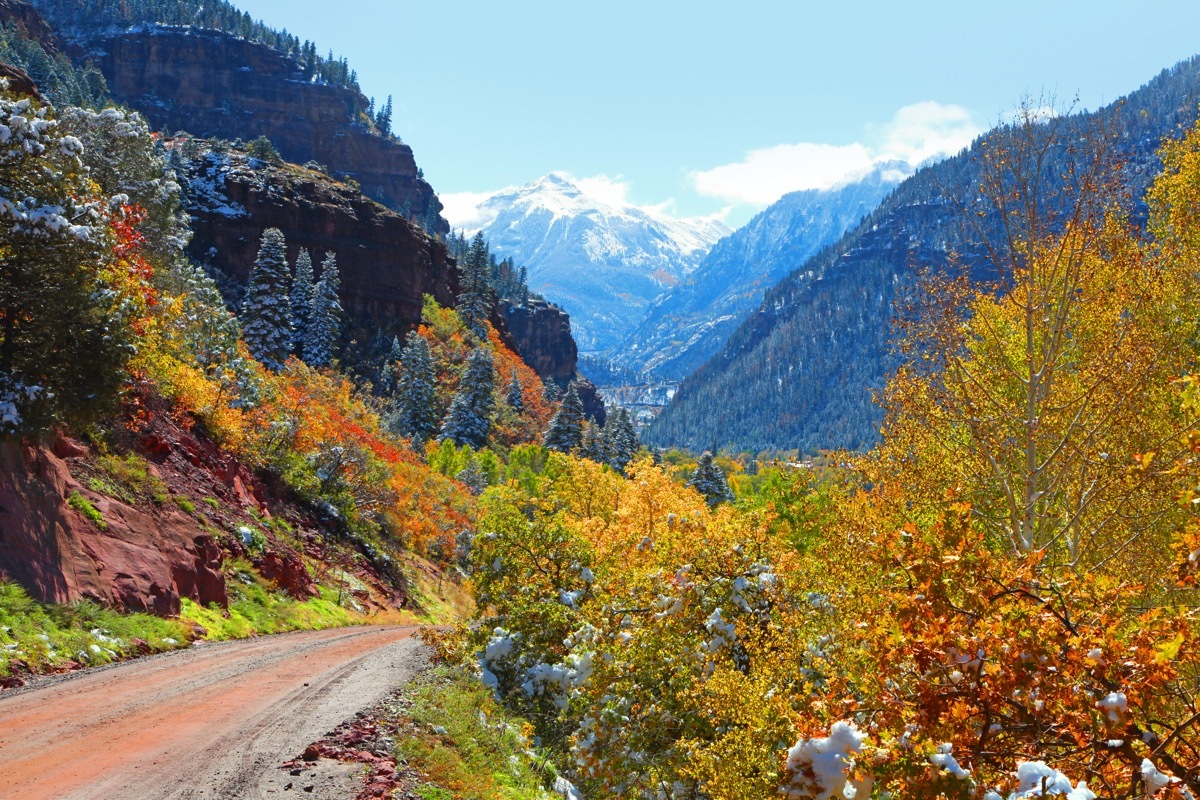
(39, 637)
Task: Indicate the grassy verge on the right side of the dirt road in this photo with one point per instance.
(485, 753)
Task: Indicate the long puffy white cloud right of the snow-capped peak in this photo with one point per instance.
(916, 134)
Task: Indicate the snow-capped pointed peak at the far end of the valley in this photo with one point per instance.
(603, 262)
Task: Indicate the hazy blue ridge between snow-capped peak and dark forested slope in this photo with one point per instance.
(686, 327)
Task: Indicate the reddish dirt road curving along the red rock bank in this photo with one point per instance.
(214, 721)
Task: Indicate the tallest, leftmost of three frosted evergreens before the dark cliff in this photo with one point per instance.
(267, 309)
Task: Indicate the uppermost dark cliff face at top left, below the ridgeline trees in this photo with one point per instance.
(214, 85)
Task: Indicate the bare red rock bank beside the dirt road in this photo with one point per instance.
(65, 537)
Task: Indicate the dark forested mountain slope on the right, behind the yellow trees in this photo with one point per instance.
(799, 374)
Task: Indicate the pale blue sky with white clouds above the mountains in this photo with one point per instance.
(705, 107)
